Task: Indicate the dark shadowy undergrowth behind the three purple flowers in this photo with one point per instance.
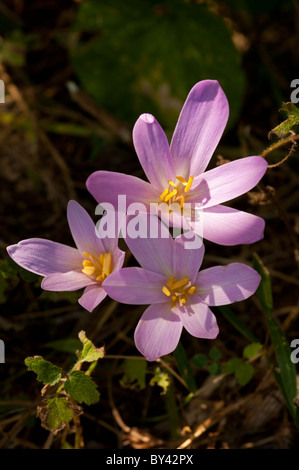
(77, 76)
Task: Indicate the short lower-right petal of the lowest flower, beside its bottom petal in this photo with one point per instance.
(198, 319)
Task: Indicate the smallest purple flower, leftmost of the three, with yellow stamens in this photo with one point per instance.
(68, 269)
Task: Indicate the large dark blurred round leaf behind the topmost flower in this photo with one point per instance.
(129, 68)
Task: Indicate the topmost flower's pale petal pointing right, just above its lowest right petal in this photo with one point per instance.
(228, 181)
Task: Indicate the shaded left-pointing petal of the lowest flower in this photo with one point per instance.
(135, 286)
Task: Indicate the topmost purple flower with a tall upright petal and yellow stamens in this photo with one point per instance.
(176, 173)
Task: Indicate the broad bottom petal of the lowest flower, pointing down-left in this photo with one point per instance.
(158, 331)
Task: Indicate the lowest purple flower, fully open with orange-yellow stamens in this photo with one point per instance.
(179, 295)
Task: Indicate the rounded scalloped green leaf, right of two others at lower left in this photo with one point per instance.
(82, 388)
